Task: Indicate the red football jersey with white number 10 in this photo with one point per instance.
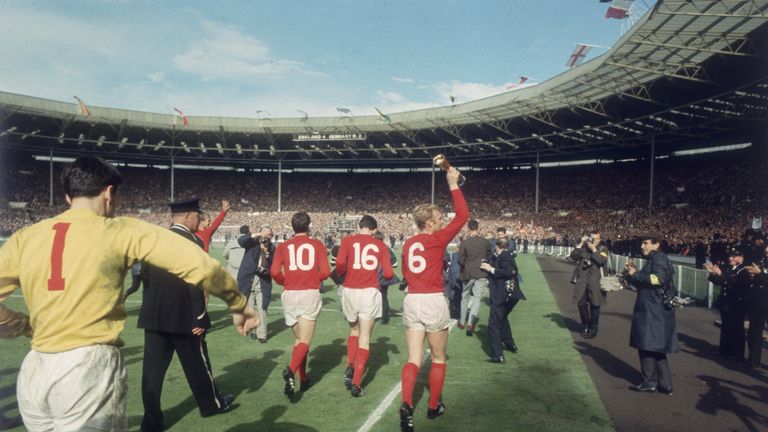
(300, 263)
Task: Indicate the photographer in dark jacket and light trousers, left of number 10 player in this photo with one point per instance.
(253, 275)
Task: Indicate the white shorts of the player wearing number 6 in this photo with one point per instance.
(428, 312)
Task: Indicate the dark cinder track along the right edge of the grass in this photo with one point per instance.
(710, 393)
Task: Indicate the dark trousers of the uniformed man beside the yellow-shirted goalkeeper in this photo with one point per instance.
(193, 355)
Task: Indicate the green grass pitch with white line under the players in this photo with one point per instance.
(544, 387)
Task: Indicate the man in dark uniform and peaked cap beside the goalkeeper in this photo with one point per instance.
(174, 318)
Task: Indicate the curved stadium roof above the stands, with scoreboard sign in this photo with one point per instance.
(688, 73)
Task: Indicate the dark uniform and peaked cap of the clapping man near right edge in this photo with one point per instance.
(734, 283)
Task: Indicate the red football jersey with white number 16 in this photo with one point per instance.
(365, 254)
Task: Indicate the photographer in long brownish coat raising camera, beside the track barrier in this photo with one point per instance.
(590, 256)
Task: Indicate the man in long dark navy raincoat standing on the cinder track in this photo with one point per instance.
(653, 331)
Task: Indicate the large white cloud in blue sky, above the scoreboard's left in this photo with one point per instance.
(227, 53)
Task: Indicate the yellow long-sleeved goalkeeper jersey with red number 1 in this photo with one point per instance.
(71, 270)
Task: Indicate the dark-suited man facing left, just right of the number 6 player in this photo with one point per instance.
(505, 293)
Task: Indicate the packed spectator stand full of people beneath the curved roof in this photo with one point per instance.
(695, 198)
